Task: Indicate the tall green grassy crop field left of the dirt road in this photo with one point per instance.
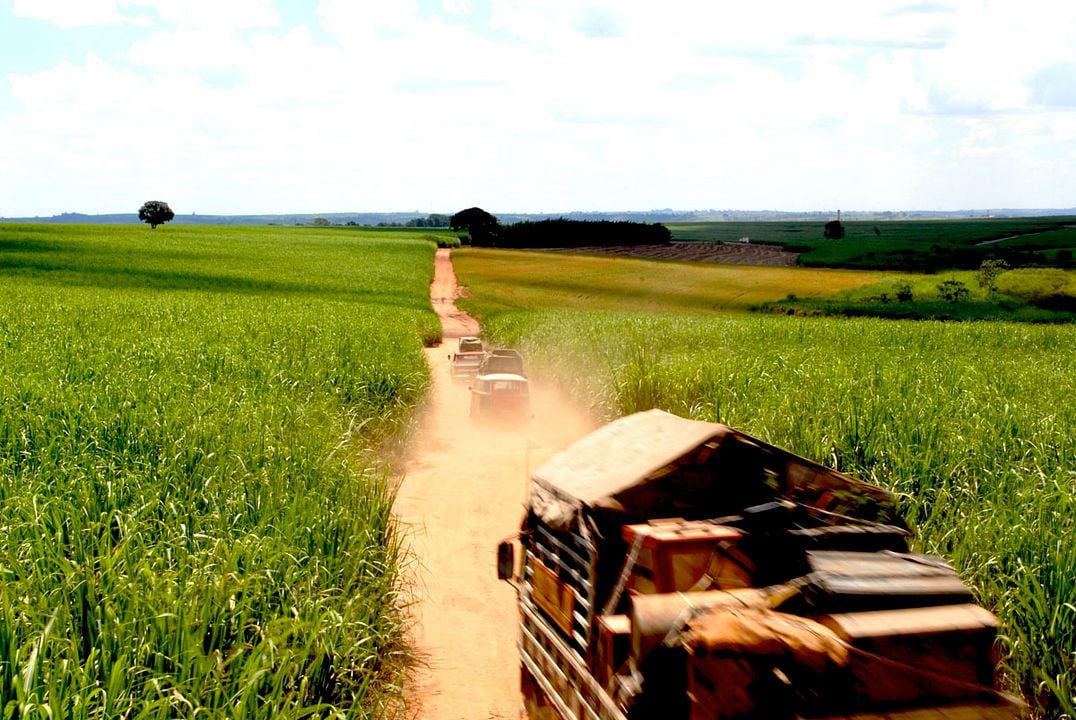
(194, 517)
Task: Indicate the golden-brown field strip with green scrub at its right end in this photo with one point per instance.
(514, 279)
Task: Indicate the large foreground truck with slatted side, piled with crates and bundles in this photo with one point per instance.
(674, 569)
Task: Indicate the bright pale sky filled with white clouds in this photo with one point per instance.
(258, 107)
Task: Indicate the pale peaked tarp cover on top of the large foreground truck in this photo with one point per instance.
(657, 465)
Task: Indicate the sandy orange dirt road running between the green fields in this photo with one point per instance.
(463, 492)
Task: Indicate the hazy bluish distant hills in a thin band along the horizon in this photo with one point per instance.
(661, 216)
